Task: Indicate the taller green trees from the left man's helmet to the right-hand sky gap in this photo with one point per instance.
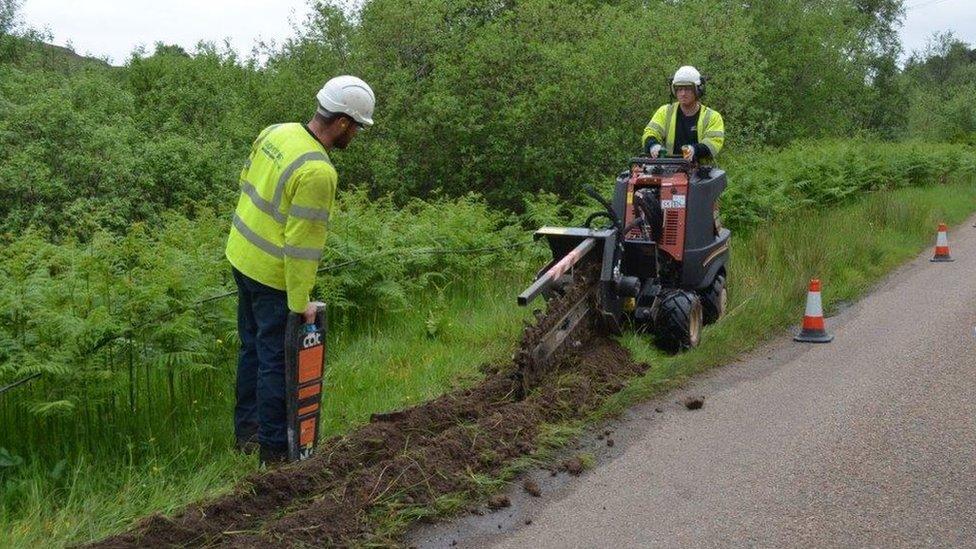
(512, 97)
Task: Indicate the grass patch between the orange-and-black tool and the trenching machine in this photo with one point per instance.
(436, 345)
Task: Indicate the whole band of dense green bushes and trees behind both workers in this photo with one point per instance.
(502, 99)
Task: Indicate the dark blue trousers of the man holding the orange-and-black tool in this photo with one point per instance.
(262, 312)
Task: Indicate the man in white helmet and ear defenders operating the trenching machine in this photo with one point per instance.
(687, 126)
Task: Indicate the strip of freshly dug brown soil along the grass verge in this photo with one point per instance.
(397, 462)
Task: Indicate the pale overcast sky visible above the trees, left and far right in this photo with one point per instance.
(113, 28)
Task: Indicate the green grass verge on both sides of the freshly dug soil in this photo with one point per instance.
(438, 343)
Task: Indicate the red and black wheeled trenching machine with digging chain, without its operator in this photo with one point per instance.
(653, 259)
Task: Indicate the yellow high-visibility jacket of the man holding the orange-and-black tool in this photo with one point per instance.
(288, 188)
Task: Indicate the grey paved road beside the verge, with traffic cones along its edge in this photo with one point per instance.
(867, 441)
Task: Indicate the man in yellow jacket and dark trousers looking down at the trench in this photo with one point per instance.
(288, 187)
